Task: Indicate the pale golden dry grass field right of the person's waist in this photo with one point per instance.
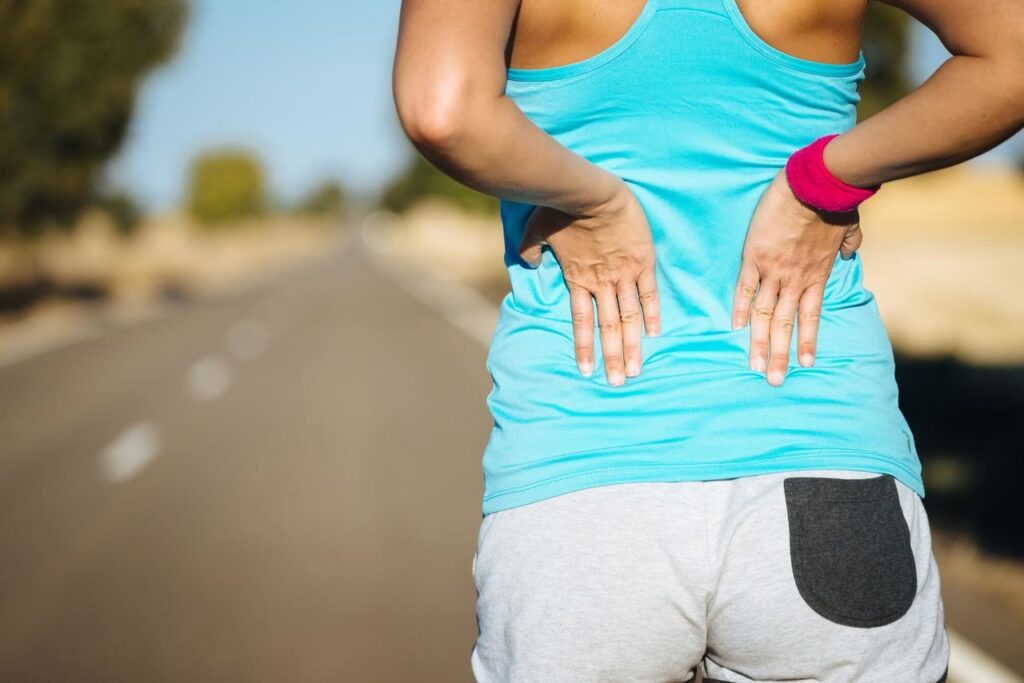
(942, 253)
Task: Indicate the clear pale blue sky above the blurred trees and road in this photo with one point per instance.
(305, 84)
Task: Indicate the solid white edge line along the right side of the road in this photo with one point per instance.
(477, 317)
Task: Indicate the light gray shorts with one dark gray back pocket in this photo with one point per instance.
(824, 576)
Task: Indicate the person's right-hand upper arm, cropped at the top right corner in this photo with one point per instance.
(978, 28)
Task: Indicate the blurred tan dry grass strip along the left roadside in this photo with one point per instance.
(66, 284)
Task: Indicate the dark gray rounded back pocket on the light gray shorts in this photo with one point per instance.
(850, 549)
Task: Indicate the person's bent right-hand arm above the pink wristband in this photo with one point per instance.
(974, 102)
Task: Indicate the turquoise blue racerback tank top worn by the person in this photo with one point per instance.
(697, 114)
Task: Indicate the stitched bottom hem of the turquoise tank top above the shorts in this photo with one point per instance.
(813, 459)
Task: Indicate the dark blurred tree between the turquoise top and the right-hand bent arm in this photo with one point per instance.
(885, 47)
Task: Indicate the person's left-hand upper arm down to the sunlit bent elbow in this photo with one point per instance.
(448, 52)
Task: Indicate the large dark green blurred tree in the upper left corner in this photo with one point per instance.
(69, 74)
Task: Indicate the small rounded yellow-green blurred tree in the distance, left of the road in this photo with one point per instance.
(226, 186)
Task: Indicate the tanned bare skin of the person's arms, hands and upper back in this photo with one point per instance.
(449, 84)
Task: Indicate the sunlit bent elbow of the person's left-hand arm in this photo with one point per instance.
(434, 113)
